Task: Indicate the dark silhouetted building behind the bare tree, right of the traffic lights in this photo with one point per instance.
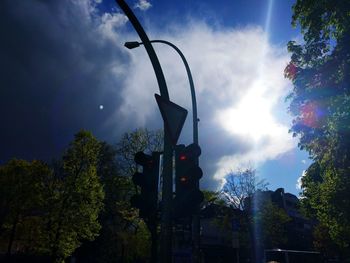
(226, 234)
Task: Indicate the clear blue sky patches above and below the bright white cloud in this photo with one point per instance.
(274, 18)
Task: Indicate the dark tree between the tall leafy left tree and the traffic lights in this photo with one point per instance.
(121, 229)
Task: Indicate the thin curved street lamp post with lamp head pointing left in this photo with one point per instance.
(196, 220)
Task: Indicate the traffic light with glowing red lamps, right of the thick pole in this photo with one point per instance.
(187, 176)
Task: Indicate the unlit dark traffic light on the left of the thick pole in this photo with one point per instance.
(146, 200)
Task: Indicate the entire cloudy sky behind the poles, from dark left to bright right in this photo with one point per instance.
(64, 67)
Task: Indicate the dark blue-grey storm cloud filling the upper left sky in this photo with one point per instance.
(56, 69)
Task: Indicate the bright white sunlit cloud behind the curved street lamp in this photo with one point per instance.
(239, 82)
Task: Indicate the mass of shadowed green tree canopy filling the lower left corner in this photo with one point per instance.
(50, 211)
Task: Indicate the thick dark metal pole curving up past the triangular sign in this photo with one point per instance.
(166, 224)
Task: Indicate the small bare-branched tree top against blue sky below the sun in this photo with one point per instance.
(240, 185)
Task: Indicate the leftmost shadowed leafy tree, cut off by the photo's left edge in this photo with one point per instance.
(21, 199)
